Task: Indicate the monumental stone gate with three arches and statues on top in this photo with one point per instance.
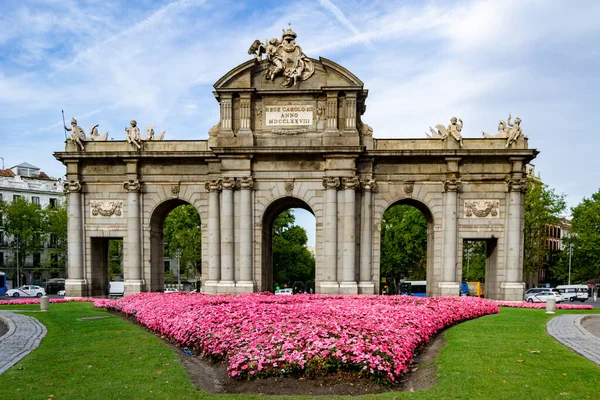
(290, 135)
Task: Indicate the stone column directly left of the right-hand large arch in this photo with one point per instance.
(366, 284)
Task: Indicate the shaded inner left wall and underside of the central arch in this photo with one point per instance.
(271, 212)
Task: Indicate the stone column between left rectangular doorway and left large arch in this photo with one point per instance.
(133, 274)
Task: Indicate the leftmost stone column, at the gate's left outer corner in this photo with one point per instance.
(76, 283)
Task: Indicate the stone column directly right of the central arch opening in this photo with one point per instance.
(329, 283)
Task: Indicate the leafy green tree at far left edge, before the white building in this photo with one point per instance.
(24, 228)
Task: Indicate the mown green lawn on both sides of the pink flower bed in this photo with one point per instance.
(503, 356)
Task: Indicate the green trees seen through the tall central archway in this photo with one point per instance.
(291, 259)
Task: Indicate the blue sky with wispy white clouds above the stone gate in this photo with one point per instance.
(107, 62)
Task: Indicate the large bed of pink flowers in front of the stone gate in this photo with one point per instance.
(260, 335)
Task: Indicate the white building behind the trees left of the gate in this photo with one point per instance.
(26, 181)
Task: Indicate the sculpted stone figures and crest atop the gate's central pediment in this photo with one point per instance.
(285, 58)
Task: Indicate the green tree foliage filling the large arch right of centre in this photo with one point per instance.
(403, 243)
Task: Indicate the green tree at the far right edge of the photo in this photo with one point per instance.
(584, 238)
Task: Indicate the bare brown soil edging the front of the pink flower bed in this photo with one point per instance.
(211, 377)
